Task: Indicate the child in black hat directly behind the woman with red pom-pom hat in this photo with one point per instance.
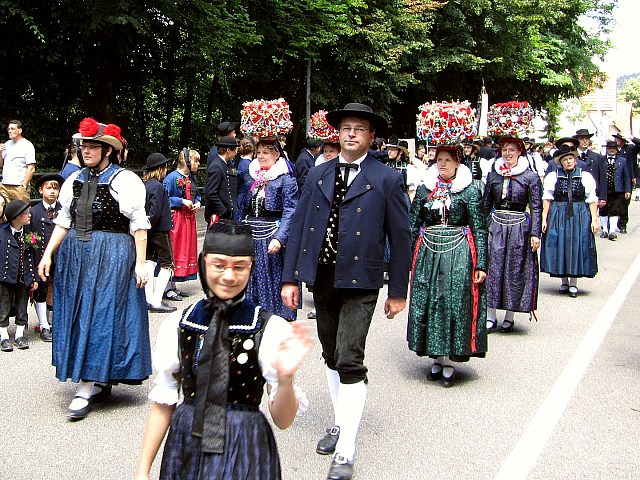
(42, 223)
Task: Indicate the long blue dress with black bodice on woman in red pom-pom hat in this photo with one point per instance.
(101, 321)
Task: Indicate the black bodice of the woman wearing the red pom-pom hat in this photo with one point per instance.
(105, 210)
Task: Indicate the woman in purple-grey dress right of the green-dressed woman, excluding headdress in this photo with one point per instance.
(513, 202)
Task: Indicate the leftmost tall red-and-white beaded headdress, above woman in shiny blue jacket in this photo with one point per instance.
(265, 118)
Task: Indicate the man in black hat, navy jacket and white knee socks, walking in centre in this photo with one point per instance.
(336, 243)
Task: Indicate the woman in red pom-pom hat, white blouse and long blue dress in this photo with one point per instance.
(101, 323)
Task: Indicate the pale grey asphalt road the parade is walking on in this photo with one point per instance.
(555, 399)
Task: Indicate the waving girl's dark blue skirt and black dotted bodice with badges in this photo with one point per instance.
(250, 450)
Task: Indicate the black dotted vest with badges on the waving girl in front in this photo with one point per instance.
(246, 327)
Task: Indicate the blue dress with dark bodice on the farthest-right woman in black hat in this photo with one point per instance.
(569, 246)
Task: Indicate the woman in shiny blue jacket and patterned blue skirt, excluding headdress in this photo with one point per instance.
(268, 207)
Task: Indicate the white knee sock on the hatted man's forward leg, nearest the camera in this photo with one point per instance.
(351, 400)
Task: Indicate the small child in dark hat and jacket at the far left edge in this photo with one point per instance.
(17, 278)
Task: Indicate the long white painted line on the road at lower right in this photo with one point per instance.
(525, 454)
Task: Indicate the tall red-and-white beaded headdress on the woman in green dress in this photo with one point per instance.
(446, 123)
